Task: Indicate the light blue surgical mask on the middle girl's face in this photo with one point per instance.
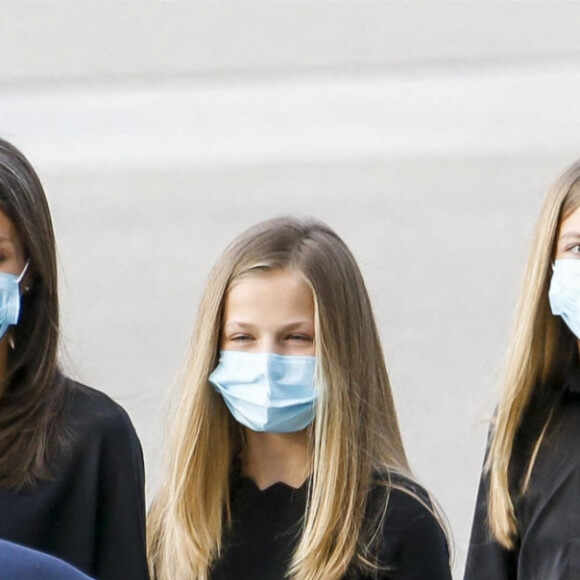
(265, 391)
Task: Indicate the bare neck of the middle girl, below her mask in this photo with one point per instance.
(270, 458)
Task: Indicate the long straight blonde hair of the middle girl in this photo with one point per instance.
(354, 435)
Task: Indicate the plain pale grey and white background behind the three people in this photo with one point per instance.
(425, 133)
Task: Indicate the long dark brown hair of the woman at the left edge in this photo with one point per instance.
(31, 406)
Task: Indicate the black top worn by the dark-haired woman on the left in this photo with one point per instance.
(92, 514)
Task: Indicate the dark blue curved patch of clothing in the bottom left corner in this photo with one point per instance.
(19, 563)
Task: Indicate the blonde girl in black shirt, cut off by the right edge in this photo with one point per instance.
(526, 523)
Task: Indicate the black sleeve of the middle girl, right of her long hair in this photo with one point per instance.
(414, 544)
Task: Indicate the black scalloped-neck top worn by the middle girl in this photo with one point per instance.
(267, 524)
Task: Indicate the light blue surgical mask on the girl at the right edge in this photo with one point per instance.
(564, 293)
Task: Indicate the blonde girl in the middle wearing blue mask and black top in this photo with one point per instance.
(285, 457)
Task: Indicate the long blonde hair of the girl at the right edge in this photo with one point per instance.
(540, 350)
